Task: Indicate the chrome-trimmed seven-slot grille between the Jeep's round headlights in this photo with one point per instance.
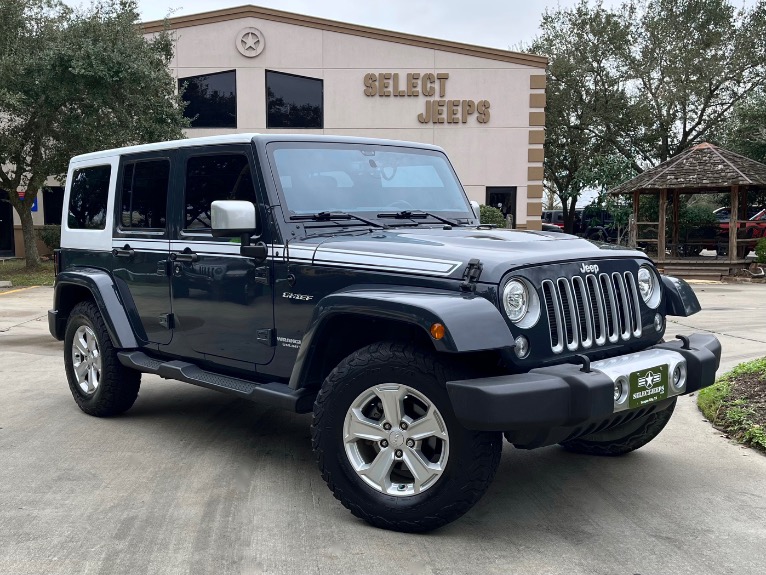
(592, 310)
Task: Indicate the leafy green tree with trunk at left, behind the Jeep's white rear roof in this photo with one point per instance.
(73, 81)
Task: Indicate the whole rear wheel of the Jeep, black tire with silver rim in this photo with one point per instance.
(99, 383)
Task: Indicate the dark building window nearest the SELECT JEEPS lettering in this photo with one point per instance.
(293, 101)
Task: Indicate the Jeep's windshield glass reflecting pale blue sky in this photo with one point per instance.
(318, 177)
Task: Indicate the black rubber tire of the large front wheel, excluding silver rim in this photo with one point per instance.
(473, 456)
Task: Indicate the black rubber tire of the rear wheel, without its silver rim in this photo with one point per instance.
(118, 386)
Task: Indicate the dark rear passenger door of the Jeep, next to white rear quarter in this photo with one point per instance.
(140, 243)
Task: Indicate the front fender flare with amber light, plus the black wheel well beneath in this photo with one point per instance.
(368, 315)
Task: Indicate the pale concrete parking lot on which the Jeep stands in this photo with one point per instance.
(191, 481)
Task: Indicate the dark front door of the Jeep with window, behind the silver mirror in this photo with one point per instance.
(222, 302)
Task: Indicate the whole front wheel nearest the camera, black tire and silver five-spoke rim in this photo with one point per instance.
(389, 446)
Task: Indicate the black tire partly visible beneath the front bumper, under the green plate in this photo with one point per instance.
(623, 438)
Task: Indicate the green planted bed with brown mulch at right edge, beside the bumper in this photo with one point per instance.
(736, 404)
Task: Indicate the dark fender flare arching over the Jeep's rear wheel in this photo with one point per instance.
(104, 291)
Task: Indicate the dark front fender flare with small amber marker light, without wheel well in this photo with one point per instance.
(472, 323)
